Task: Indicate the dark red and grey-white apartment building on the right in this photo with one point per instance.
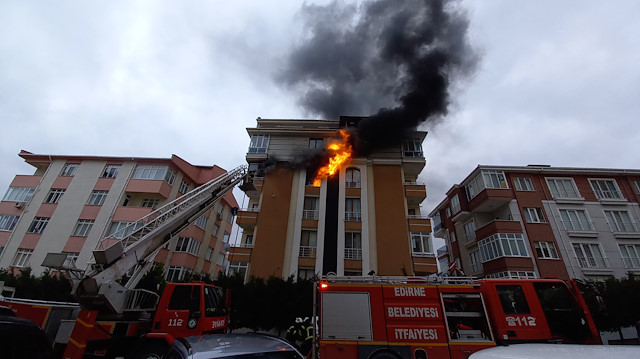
(542, 221)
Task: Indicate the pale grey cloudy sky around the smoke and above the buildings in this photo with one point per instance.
(556, 83)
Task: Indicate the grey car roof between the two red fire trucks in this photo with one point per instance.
(236, 346)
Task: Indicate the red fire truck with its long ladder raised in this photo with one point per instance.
(115, 320)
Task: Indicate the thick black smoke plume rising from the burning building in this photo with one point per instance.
(394, 61)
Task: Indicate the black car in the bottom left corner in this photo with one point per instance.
(23, 339)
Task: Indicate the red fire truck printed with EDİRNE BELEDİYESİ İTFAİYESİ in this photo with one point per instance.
(444, 317)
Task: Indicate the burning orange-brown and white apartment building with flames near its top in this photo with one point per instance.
(364, 219)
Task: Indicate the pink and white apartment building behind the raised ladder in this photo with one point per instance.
(71, 202)
